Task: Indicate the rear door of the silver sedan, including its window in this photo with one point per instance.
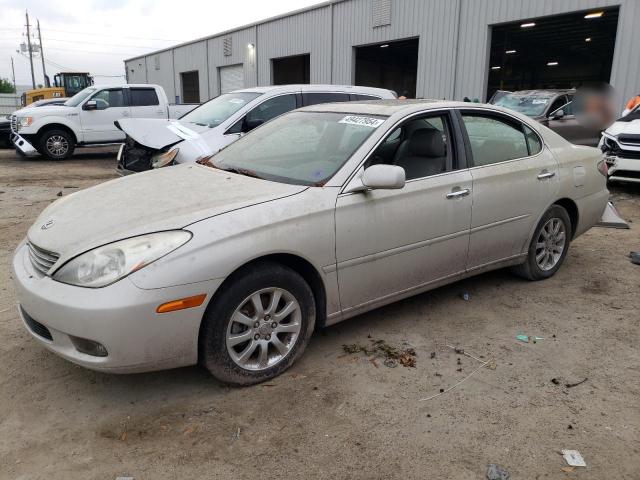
(514, 179)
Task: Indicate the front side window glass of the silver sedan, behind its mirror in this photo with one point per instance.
(422, 147)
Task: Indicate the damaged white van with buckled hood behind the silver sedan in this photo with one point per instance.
(154, 143)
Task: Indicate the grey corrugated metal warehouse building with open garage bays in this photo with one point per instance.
(423, 48)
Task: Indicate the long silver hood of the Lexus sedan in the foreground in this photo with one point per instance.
(163, 199)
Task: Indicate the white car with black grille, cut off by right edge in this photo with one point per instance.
(620, 144)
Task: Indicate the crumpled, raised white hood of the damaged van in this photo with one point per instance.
(158, 133)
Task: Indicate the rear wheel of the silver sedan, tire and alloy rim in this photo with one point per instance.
(549, 245)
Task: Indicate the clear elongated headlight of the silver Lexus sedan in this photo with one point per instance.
(105, 265)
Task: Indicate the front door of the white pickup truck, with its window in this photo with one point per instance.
(97, 125)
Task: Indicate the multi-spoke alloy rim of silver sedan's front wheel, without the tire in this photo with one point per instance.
(264, 329)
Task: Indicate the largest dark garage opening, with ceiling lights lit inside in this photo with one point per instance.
(561, 51)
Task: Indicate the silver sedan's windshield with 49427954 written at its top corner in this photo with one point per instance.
(303, 148)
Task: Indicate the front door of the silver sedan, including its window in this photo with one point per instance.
(390, 243)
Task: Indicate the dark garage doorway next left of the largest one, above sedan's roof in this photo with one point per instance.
(392, 65)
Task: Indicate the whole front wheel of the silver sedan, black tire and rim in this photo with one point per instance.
(257, 325)
